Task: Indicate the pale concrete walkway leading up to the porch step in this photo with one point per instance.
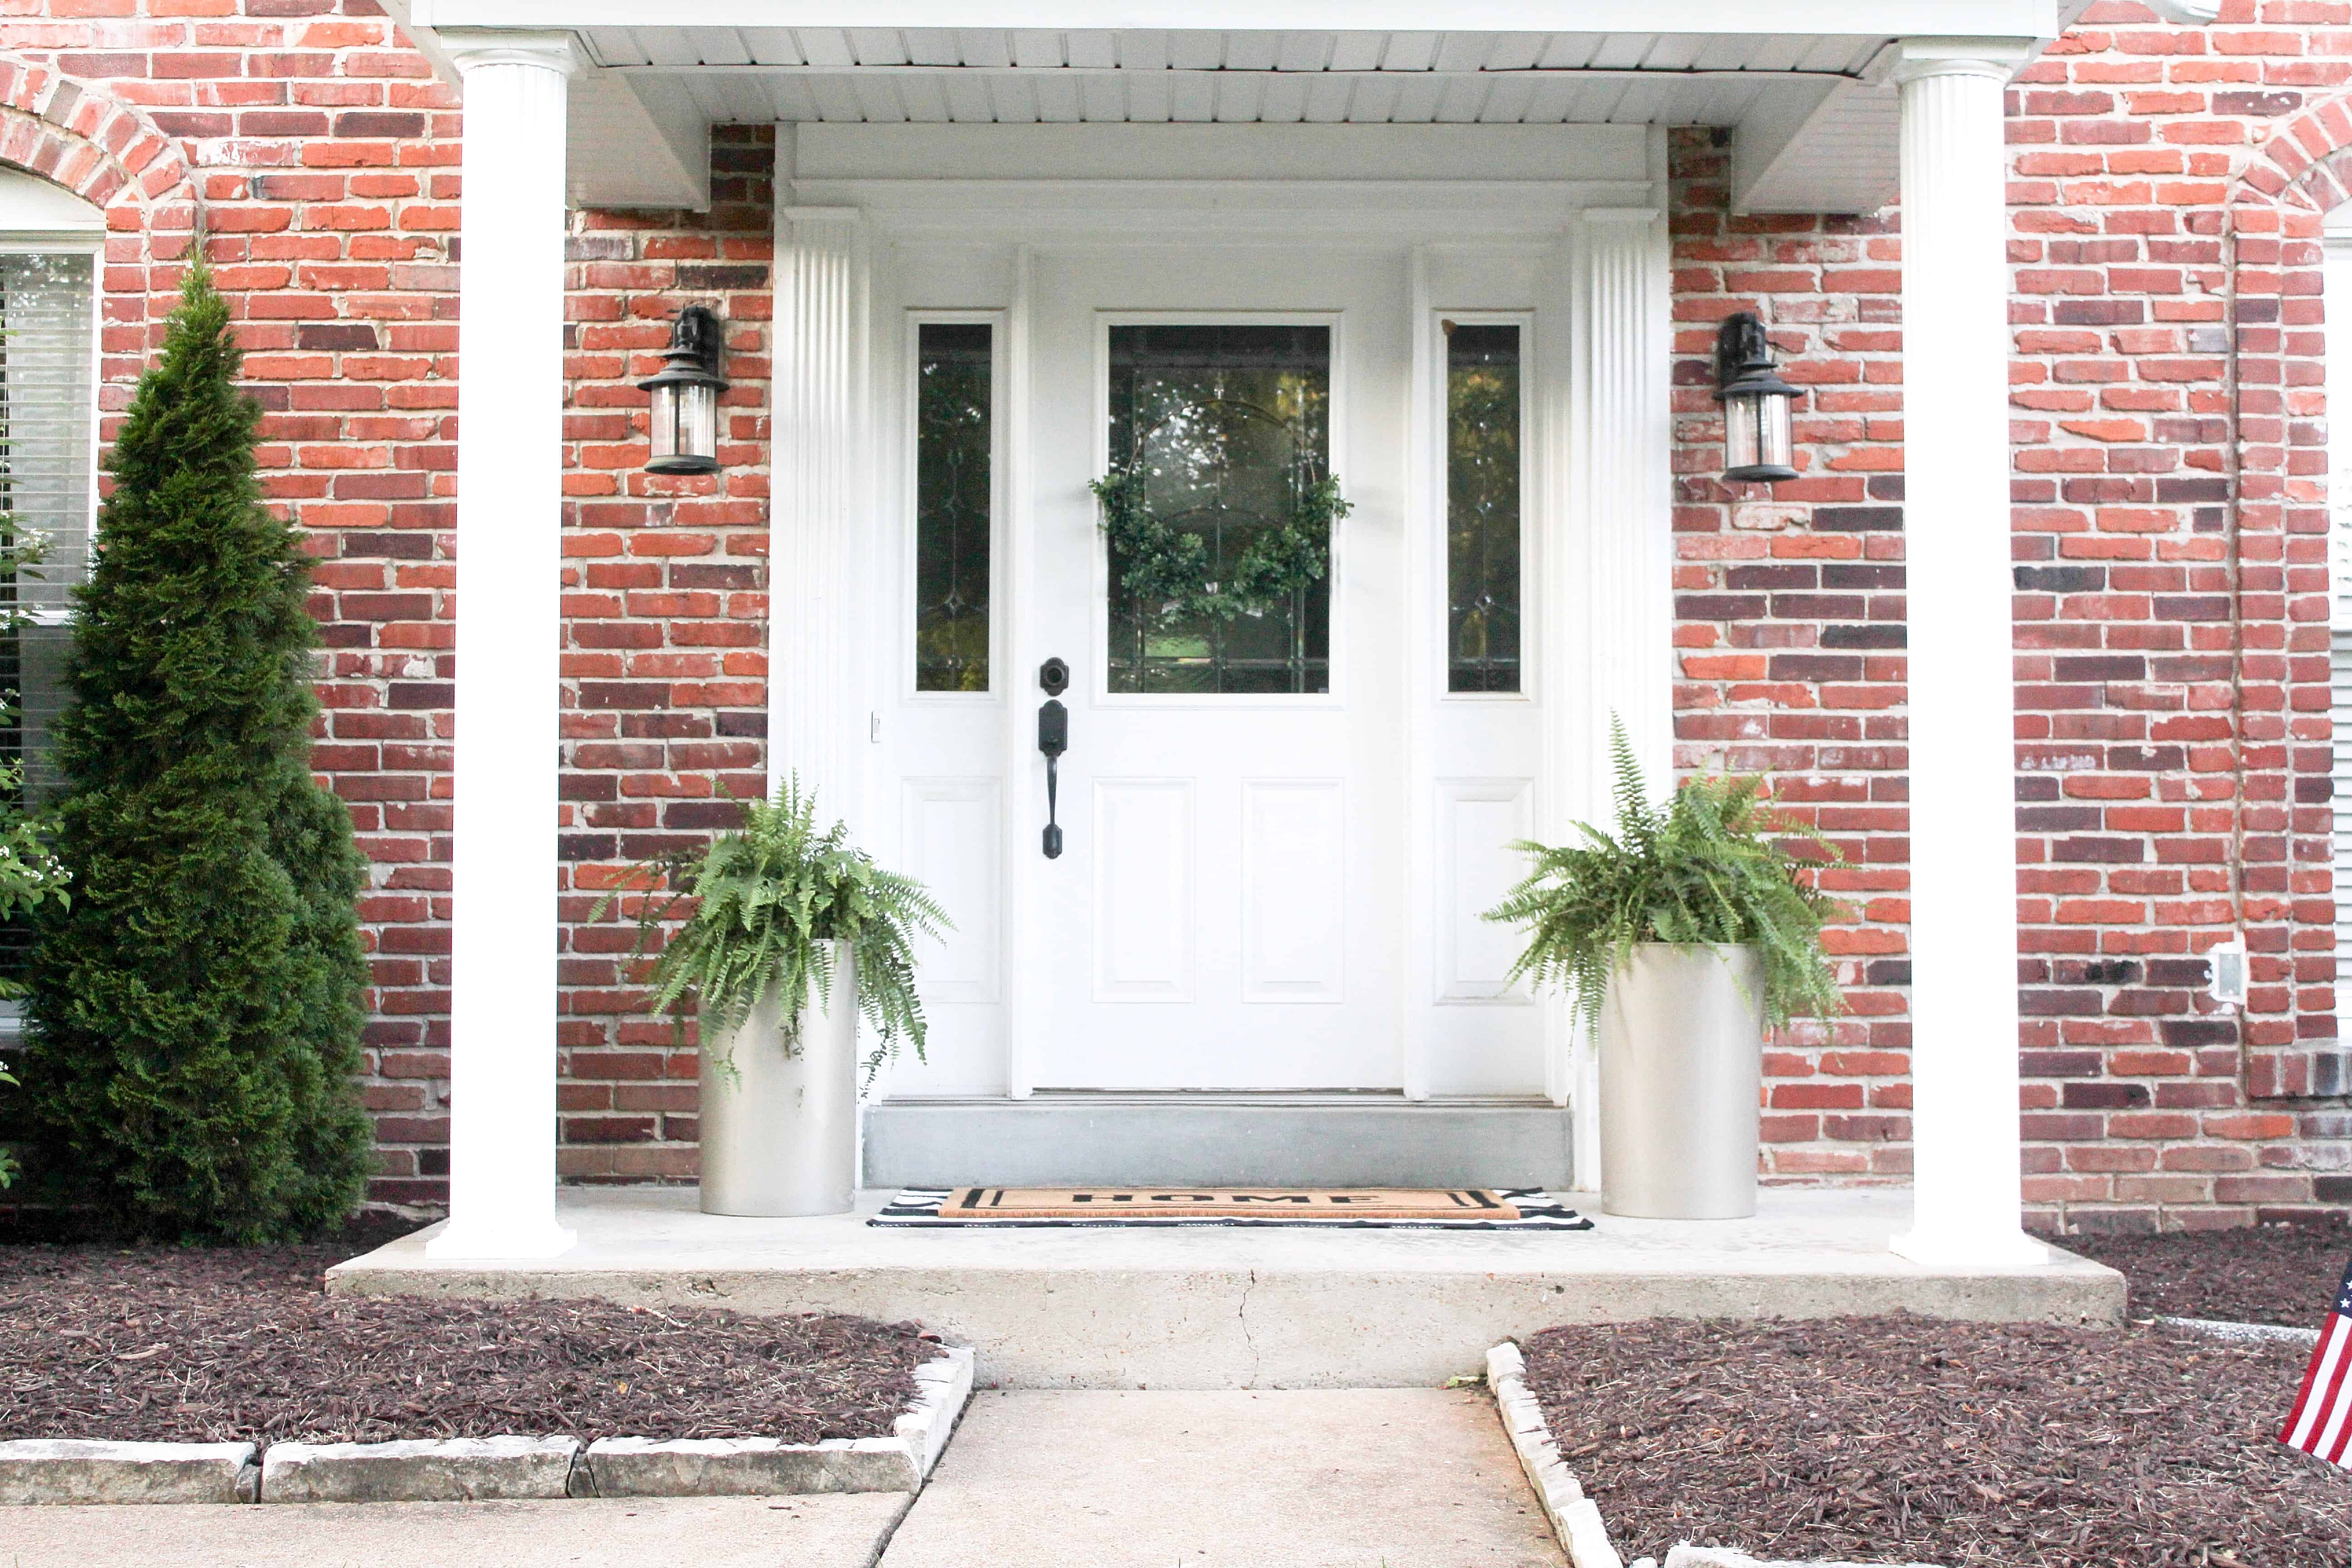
(1095, 1480)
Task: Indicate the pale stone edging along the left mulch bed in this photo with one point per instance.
(497, 1468)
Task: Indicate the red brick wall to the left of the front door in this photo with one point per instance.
(326, 163)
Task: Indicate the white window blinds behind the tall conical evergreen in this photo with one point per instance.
(48, 427)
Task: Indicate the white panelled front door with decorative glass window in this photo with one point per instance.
(1227, 911)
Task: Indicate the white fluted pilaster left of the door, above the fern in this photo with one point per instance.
(820, 523)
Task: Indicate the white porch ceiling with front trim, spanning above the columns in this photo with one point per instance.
(1815, 126)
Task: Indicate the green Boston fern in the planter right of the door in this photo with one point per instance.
(1709, 869)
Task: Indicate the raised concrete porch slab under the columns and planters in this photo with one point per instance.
(1250, 1308)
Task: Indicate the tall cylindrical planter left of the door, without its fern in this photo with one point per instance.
(780, 1118)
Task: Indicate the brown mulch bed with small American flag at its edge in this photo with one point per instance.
(1911, 1440)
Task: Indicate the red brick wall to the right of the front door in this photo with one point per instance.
(2170, 624)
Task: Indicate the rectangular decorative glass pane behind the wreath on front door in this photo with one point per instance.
(1227, 427)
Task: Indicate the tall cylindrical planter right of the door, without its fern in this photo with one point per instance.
(1683, 1066)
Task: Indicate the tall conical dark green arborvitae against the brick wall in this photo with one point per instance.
(194, 1017)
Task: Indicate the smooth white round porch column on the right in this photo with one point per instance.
(1963, 728)
